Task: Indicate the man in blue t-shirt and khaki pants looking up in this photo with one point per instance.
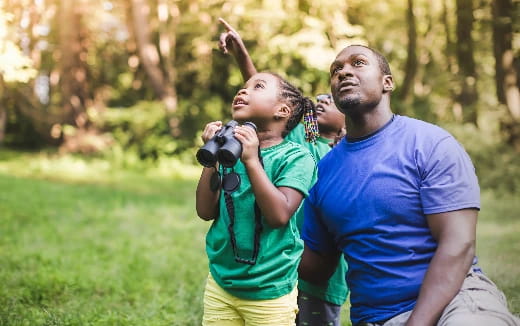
(399, 198)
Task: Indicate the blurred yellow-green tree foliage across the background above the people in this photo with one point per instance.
(298, 39)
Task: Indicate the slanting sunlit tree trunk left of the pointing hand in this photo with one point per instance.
(149, 56)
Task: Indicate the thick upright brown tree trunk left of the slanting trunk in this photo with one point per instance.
(73, 72)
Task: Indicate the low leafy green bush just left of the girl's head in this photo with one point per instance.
(144, 131)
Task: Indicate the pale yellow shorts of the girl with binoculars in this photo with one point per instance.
(224, 309)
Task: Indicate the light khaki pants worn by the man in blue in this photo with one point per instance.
(478, 303)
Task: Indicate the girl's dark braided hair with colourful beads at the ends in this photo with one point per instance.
(301, 107)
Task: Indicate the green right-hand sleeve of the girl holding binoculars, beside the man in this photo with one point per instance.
(298, 172)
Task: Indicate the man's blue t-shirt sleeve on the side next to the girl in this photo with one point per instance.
(314, 232)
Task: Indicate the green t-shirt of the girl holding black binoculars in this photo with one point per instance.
(275, 272)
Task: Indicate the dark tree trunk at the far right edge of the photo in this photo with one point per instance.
(506, 77)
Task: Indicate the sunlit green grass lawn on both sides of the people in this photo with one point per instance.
(82, 244)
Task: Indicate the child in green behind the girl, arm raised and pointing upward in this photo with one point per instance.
(319, 305)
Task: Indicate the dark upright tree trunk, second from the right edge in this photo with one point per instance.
(468, 96)
